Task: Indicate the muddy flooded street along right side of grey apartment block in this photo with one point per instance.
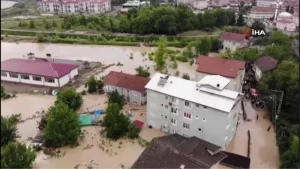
(264, 152)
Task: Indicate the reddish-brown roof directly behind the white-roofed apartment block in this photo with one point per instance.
(219, 66)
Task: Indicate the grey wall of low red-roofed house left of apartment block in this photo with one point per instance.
(131, 96)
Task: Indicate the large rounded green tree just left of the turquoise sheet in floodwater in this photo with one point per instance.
(62, 127)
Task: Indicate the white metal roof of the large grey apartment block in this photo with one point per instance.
(187, 90)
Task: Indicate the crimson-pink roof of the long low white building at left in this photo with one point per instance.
(37, 67)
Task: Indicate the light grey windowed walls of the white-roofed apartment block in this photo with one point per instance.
(206, 123)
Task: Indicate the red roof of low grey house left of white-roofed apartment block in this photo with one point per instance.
(126, 81)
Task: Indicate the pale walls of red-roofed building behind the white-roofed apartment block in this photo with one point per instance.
(235, 84)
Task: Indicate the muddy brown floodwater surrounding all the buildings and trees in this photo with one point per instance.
(264, 152)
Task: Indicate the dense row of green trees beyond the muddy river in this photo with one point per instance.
(154, 20)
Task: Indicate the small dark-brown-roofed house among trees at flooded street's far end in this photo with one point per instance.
(264, 64)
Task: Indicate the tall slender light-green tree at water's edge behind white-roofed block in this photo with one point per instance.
(159, 55)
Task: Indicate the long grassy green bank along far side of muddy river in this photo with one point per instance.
(94, 39)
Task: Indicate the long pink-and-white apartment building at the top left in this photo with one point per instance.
(74, 6)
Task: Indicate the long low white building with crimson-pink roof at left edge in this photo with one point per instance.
(38, 72)
